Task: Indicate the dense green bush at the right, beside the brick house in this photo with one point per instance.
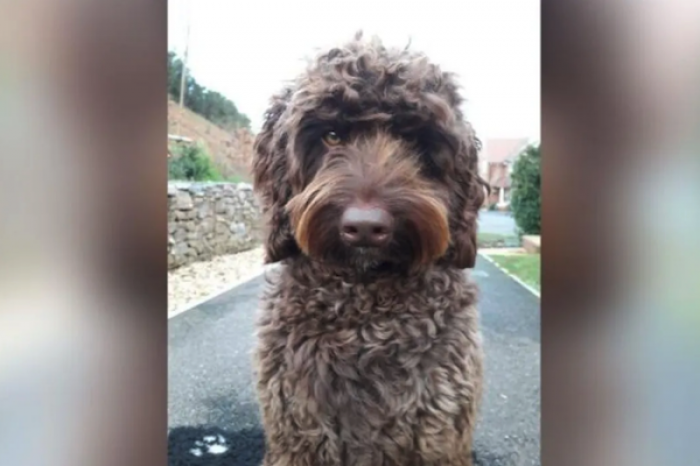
(526, 198)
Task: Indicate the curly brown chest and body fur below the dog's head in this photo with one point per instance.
(348, 366)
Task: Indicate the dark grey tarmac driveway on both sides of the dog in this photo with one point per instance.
(213, 417)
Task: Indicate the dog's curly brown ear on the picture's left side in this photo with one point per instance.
(270, 175)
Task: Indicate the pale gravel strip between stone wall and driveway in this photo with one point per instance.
(193, 282)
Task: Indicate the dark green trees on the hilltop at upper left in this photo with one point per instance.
(210, 104)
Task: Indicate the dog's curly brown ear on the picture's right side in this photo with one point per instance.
(469, 195)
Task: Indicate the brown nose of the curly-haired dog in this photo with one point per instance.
(366, 226)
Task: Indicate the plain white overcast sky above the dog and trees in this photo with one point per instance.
(246, 50)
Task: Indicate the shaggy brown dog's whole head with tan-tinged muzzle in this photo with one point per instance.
(366, 161)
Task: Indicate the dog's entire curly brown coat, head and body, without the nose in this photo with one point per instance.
(370, 356)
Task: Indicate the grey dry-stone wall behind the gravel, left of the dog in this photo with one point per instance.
(210, 219)
